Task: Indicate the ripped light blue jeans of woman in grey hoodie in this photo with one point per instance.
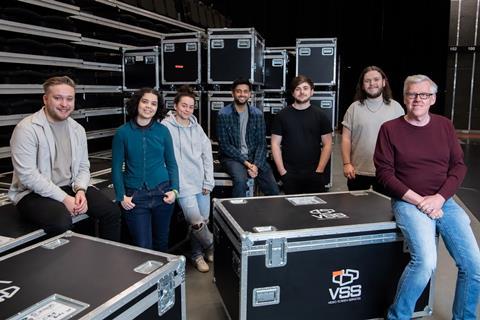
(196, 209)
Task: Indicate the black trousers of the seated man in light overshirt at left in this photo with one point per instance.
(52, 215)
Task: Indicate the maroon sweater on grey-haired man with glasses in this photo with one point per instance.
(427, 160)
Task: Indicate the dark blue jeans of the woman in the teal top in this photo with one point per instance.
(149, 221)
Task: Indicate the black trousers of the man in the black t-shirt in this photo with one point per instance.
(298, 182)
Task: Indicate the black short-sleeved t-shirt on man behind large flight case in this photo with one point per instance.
(301, 132)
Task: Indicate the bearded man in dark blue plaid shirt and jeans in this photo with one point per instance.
(241, 138)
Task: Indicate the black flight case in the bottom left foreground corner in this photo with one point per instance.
(73, 276)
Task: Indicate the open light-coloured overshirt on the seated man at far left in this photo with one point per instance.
(33, 152)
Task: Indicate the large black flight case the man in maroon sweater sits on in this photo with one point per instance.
(319, 256)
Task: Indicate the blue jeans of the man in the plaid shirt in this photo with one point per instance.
(239, 175)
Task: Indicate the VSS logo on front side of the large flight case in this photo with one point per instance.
(345, 292)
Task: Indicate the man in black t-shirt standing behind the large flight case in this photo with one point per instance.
(302, 141)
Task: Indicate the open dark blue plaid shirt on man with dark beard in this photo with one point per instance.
(228, 133)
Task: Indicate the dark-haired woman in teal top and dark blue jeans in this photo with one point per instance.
(144, 171)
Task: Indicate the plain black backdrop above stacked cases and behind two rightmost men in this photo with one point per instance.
(402, 37)
